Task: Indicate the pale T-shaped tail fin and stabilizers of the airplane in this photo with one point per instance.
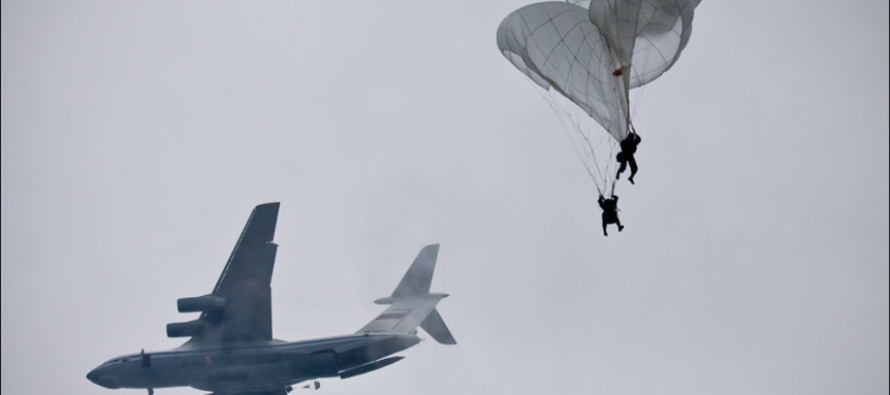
(412, 304)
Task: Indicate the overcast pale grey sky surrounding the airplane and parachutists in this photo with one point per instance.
(137, 137)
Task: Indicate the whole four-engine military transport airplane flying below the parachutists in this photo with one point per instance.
(232, 351)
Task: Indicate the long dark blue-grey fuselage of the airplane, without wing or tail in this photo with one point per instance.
(253, 366)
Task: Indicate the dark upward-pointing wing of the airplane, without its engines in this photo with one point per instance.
(244, 286)
